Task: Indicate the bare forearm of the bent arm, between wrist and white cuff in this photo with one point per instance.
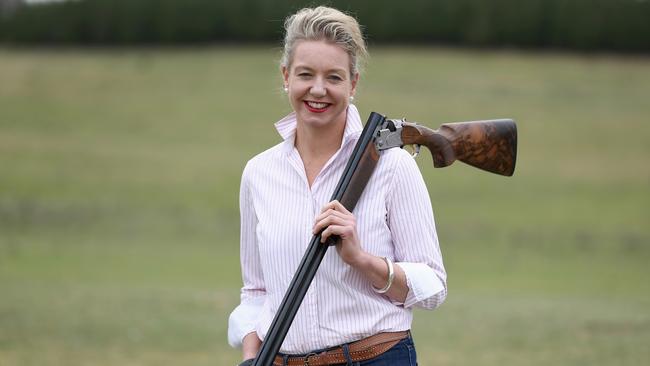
(376, 271)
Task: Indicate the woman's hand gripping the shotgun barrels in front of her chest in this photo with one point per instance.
(337, 220)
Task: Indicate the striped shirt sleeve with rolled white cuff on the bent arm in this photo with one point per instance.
(413, 230)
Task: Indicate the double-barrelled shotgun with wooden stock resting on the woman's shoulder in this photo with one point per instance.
(488, 145)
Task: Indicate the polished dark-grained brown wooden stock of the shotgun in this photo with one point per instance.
(489, 145)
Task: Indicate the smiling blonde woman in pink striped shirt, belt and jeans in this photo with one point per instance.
(359, 306)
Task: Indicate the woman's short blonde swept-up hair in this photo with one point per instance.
(324, 24)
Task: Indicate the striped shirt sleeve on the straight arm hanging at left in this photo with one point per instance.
(243, 319)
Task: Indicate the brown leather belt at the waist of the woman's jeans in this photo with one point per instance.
(361, 350)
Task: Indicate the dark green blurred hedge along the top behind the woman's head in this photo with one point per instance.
(576, 24)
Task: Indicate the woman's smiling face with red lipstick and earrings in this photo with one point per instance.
(319, 83)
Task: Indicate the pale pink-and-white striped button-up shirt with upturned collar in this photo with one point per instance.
(278, 208)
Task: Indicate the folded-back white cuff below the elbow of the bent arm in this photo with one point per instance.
(422, 281)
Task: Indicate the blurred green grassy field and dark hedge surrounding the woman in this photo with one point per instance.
(125, 125)
